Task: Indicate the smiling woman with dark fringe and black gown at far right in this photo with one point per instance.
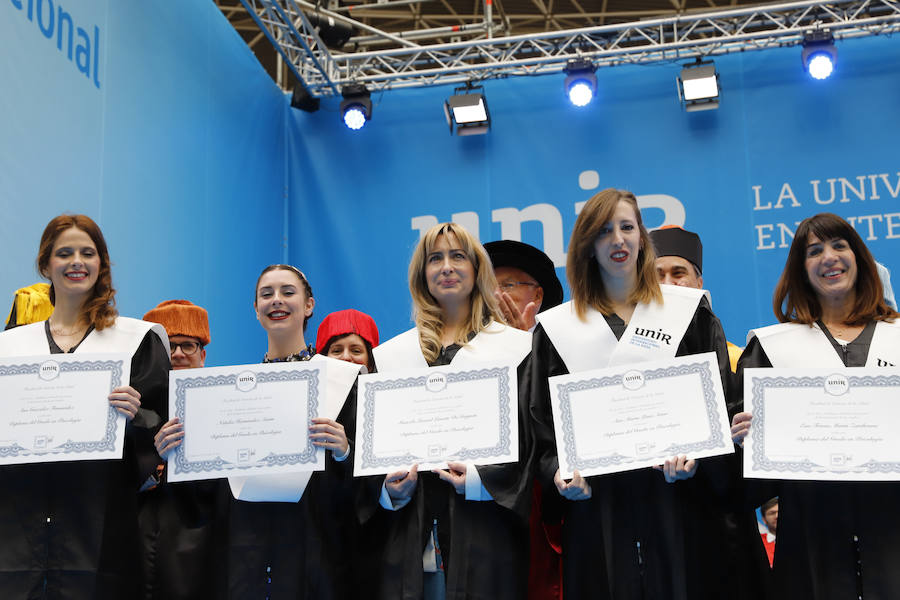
(837, 539)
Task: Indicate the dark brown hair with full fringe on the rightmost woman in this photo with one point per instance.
(795, 300)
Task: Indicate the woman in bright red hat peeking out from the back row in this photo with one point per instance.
(348, 335)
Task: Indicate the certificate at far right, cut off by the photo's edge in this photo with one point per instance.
(823, 424)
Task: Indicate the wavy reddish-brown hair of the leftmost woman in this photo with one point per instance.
(99, 309)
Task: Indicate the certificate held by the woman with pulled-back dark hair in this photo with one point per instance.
(246, 420)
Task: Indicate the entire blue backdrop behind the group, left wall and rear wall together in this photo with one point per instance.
(164, 128)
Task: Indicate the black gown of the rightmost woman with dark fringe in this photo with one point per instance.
(827, 530)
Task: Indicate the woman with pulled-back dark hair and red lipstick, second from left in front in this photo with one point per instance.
(288, 549)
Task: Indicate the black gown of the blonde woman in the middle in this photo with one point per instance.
(484, 544)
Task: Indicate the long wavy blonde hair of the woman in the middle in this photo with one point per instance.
(427, 313)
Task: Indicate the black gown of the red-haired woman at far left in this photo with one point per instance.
(69, 530)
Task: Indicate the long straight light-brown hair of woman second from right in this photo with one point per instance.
(582, 270)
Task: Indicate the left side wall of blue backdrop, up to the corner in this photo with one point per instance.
(176, 154)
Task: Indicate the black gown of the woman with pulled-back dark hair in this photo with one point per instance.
(292, 550)
